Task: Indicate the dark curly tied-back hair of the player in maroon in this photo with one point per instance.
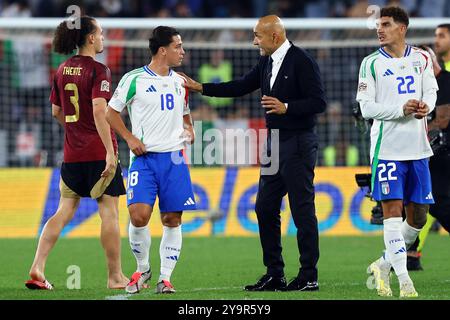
(68, 39)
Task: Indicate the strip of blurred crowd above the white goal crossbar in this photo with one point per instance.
(218, 8)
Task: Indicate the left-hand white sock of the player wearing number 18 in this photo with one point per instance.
(140, 242)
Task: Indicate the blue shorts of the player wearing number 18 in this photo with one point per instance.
(162, 174)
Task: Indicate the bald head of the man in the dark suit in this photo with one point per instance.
(269, 34)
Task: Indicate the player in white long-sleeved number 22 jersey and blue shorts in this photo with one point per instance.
(397, 88)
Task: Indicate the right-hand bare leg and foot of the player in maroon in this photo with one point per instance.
(110, 238)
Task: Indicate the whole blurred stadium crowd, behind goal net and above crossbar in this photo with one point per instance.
(30, 137)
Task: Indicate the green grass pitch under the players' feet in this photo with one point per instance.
(218, 267)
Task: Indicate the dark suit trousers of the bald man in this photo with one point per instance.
(297, 158)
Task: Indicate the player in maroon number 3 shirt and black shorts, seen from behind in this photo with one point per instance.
(80, 91)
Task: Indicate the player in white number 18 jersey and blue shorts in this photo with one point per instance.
(161, 123)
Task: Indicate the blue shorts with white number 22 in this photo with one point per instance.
(407, 180)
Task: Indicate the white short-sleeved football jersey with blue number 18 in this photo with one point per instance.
(156, 106)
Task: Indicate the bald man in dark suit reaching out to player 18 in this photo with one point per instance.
(292, 95)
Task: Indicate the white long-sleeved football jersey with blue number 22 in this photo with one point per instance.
(385, 85)
